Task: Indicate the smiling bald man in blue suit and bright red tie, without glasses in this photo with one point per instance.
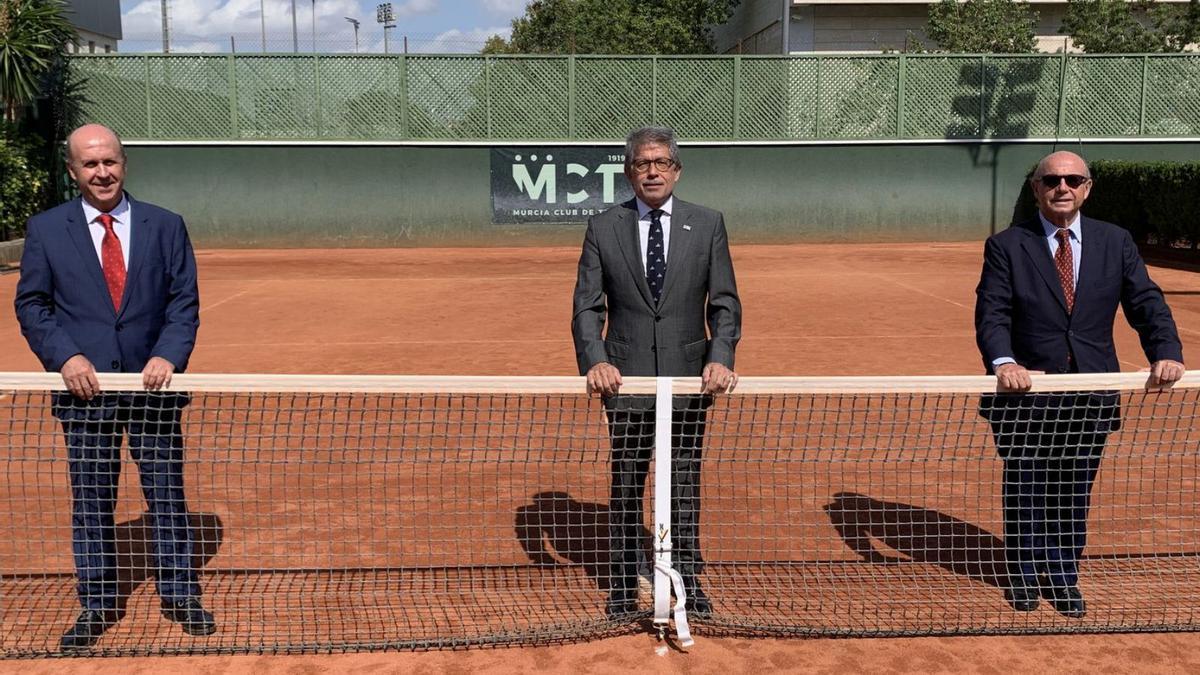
(109, 284)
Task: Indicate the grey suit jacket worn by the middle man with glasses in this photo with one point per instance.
(668, 338)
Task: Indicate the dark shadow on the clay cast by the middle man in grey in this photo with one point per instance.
(557, 528)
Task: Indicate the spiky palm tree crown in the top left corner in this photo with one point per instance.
(34, 35)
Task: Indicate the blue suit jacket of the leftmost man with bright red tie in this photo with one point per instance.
(64, 307)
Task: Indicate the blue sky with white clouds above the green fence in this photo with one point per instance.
(206, 26)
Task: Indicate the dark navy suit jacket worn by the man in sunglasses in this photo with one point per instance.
(1022, 312)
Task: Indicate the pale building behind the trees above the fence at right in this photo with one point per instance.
(784, 27)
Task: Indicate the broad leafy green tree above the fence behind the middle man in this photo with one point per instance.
(615, 27)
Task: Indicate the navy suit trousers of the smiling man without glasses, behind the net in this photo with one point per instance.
(94, 450)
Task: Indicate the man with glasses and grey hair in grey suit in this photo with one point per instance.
(659, 271)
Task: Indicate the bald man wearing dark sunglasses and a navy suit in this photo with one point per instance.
(1046, 303)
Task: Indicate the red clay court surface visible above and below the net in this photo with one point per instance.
(903, 309)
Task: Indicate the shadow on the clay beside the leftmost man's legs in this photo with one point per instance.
(135, 552)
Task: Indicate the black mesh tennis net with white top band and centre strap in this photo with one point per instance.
(344, 513)
